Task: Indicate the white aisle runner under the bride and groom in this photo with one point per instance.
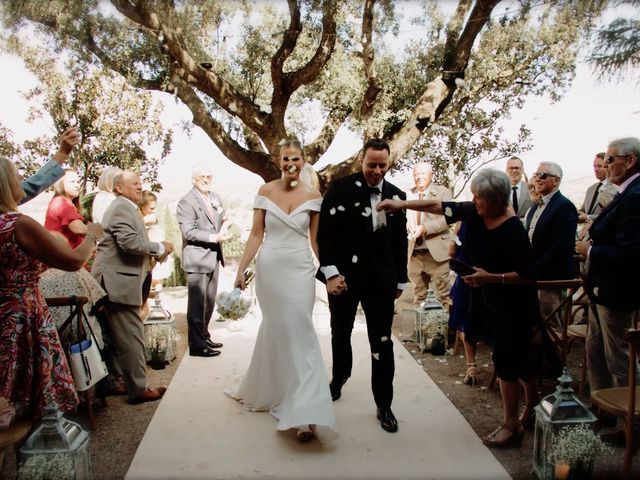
(198, 432)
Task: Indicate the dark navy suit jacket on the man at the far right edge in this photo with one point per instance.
(615, 255)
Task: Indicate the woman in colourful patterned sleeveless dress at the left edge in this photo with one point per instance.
(34, 372)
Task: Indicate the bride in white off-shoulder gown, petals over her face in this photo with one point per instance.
(286, 376)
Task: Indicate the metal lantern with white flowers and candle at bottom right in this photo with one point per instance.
(559, 410)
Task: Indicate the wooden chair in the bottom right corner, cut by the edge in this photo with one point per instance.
(621, 401)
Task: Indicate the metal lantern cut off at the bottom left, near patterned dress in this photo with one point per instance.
(57, 449)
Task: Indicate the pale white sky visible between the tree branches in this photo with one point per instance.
(568, 132)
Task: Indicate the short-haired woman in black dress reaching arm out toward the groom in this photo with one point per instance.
(504, 300)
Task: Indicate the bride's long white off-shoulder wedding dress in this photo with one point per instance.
(287, 376)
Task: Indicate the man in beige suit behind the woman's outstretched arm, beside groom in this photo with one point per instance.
(429, 238)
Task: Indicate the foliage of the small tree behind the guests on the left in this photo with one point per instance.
(118, 125)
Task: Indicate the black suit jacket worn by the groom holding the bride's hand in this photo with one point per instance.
(346, 238)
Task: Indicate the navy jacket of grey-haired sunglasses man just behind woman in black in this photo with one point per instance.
(554, 239)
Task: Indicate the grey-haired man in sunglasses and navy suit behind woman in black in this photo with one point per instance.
(552, 228)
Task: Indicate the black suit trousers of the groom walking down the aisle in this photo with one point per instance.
(378, 310)
